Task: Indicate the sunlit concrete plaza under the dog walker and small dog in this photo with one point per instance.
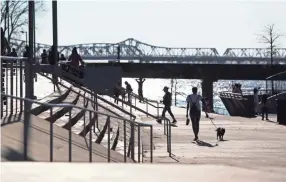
(249, 143)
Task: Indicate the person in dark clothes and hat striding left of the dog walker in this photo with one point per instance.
(167, 101)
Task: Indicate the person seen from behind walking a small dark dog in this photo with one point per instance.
(194, 109)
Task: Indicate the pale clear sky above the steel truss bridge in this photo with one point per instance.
(219, 24)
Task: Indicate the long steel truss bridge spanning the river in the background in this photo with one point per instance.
(135, 51)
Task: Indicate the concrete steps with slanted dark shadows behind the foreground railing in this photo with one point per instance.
(82, 122)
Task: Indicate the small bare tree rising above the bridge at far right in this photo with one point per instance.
(270, 37)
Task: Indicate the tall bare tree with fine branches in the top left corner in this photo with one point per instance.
(17, 14)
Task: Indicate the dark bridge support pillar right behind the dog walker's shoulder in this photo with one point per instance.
(207, 89)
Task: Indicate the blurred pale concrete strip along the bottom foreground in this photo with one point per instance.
(63, 172)
